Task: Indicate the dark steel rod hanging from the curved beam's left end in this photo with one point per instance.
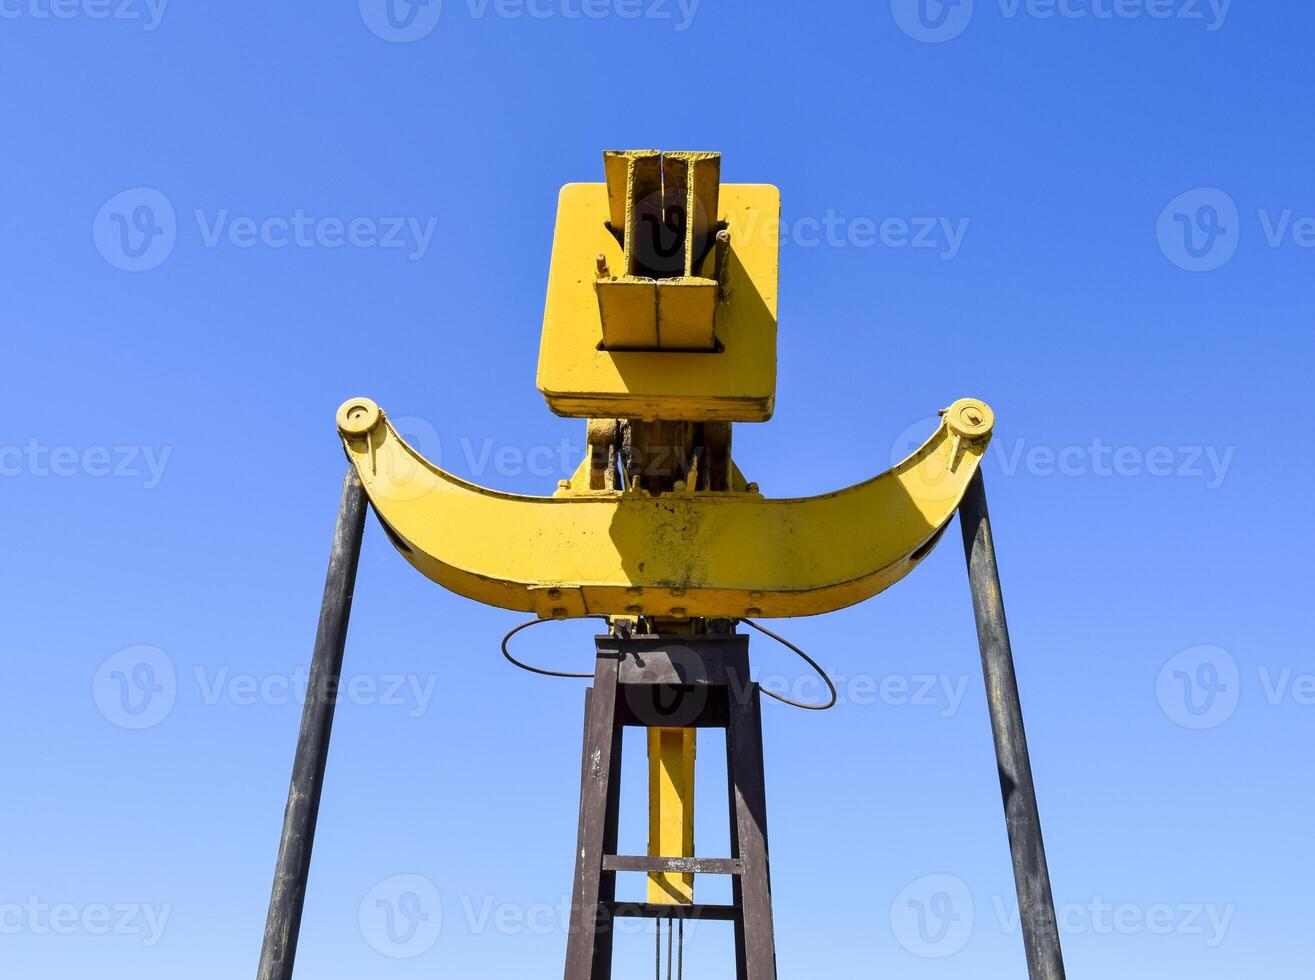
(308, 769)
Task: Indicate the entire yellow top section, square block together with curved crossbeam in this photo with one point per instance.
(661, 330)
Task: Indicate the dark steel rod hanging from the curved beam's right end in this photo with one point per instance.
(1032, 877)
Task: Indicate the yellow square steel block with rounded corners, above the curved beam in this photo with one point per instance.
(603, 353)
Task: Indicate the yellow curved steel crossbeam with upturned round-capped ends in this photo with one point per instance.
(678, 554)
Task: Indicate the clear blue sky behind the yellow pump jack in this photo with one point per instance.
(222, 220)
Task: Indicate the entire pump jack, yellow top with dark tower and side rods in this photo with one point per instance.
(661, 332)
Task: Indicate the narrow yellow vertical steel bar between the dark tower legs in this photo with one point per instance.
(671, 811)
